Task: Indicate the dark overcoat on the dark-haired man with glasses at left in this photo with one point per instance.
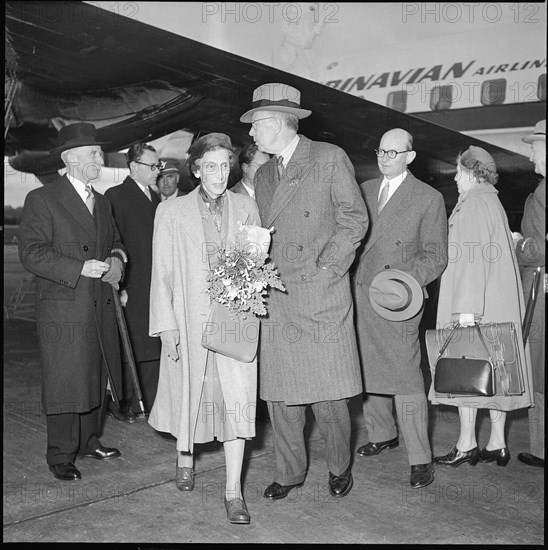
(134, 215)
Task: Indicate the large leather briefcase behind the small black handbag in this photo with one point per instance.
(497, 343)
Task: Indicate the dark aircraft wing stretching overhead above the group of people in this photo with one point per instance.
(72, 61)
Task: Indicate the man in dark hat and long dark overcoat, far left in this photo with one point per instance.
(69, 240)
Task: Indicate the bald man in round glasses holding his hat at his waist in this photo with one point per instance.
(405, 249)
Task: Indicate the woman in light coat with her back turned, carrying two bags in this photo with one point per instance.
(480, 284)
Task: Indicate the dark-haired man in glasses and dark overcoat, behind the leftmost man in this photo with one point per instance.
(133, 207)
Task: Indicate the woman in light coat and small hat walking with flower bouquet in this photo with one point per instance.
(201, 395)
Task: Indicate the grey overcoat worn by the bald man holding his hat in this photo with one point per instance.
(410, 234)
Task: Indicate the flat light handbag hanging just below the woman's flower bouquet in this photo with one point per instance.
(229, 336)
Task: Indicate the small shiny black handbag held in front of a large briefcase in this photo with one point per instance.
(464, 375)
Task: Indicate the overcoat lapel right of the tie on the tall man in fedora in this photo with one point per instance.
(296, 170)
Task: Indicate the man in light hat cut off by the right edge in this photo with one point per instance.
(530, 251)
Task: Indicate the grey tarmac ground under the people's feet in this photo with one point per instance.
(133, 499)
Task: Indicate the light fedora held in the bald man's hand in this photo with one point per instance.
(395, 295)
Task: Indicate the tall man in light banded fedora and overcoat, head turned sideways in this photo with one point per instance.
(308, 193)
